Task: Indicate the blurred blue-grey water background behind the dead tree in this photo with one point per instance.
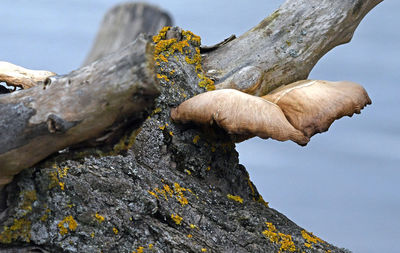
(344, 186)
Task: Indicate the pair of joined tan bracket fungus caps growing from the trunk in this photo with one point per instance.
(293, 112)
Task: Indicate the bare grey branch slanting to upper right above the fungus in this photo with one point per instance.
(285, 46)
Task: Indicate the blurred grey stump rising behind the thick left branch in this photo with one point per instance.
(123, 24)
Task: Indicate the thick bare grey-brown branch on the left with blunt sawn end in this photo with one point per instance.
(82, 105)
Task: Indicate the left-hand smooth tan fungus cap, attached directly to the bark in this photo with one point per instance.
(239, 114)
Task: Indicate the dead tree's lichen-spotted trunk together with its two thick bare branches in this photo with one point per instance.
(165, 187)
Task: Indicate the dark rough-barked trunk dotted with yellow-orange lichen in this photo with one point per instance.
(165, 187)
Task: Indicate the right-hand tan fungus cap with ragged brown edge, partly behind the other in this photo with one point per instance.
(311, 106)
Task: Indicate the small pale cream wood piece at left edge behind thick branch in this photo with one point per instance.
(18, 76)
